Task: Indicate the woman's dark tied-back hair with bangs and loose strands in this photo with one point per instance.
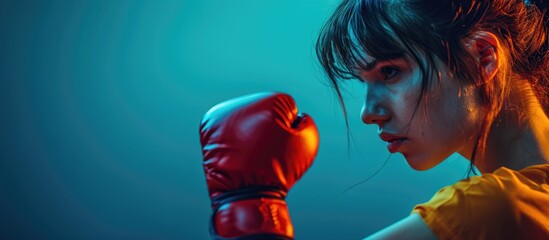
(426, 30)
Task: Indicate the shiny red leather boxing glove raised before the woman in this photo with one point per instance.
(255, 148)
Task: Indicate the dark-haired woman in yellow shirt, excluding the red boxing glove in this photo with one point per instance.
(455, 76)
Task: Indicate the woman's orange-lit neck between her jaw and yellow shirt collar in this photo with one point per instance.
(519, 136)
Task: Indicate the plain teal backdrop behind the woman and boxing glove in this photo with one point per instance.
(100, 106)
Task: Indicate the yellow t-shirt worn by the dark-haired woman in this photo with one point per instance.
(505, 204)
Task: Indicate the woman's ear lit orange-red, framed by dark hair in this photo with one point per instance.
(484, 47)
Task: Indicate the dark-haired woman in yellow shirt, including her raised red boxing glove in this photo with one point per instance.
(439, 77)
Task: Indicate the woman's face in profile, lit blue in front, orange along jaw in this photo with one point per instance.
(446, 120)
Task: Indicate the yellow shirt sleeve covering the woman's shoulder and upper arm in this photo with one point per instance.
(481, 207)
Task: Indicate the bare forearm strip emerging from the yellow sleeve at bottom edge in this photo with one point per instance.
(411, 227)
